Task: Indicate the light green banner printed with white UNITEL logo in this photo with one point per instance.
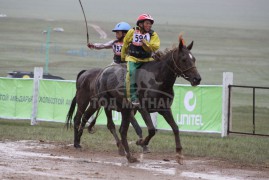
(195, 109)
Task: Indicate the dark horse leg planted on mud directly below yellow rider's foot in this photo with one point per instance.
(123, 131)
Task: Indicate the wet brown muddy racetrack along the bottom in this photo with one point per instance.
(49, 160)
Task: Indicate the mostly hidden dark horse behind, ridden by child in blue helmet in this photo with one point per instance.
(85, 88)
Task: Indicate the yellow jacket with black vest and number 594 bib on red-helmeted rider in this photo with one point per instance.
(134, 50)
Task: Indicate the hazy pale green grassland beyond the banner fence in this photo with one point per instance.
(217, 49)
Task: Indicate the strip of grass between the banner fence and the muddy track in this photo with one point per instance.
(236, 149)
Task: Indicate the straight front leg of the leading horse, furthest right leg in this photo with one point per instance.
(168, 116)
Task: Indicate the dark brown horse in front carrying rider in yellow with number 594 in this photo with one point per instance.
(155, 82)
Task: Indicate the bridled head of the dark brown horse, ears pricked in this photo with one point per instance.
(184, 63)
